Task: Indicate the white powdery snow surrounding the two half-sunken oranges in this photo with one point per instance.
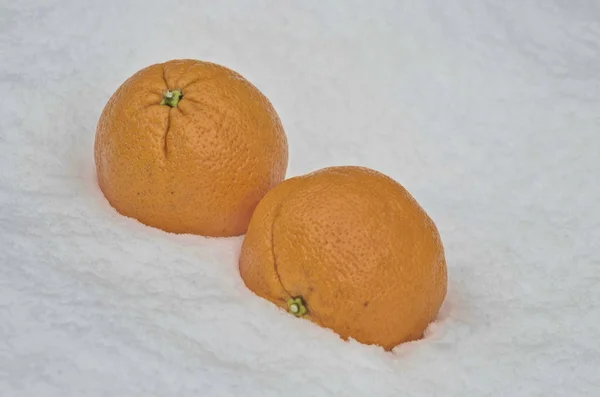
(487, 112)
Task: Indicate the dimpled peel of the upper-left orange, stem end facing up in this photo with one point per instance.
(200, 167)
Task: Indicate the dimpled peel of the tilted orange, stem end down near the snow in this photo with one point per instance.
(356, 246)
